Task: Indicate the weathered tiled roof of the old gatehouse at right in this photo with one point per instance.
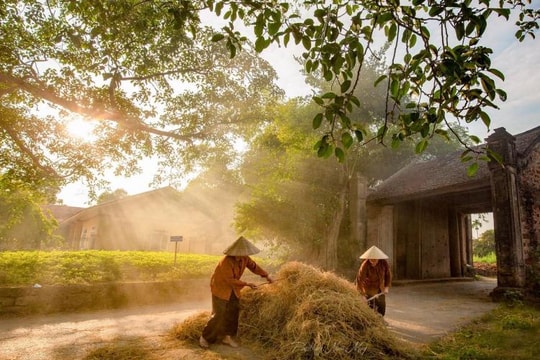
(442, 174)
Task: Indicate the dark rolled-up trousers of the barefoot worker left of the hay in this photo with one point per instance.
(224, 319)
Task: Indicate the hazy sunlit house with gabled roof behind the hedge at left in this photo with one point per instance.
(147, 221)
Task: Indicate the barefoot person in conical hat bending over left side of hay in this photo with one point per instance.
(225, 286)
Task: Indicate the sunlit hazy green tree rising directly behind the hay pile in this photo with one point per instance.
(291, 203)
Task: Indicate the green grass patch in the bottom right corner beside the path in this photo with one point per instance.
(508, 332)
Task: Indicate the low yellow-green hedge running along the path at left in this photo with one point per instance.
(93, 266)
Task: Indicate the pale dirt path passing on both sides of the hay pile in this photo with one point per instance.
(417, 313)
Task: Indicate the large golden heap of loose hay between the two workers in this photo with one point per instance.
(309, 314)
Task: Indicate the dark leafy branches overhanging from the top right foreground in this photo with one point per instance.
(439, 78)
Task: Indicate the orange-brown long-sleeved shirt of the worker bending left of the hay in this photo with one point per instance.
(226, 276)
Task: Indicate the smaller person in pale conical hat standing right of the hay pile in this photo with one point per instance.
(374, 278)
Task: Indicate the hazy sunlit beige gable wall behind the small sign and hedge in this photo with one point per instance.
(147, 224)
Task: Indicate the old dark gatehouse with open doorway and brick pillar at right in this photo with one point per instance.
(420, 216)
